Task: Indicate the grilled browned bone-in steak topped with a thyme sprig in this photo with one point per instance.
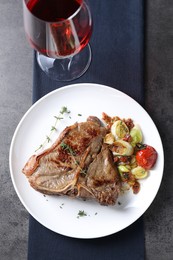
(78, 164)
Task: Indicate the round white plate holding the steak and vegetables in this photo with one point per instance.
(60, 213)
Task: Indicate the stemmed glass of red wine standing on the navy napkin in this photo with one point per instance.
(59, 30)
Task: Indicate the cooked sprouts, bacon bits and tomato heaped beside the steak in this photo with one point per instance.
(132, 158)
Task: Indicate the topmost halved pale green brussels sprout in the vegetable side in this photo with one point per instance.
(119, 129)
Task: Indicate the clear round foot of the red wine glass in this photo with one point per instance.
(66, 69)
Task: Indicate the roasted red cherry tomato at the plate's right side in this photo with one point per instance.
(146, 157)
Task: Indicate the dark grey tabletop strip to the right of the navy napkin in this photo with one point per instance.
(159, 103)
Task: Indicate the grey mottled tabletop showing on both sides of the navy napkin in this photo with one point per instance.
(16, 97)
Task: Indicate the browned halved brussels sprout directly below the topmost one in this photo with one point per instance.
(121, 147)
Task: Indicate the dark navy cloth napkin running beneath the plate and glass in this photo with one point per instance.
(117, 47)
